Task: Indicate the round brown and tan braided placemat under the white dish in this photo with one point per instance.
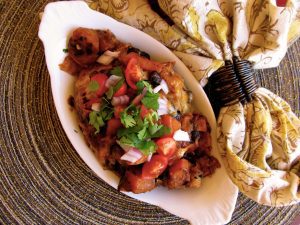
(43, 180)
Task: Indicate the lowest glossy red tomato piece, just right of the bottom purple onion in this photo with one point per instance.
(154, 167)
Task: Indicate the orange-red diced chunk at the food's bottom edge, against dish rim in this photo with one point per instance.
(136, 184)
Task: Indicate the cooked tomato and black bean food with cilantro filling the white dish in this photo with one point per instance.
(136, 114)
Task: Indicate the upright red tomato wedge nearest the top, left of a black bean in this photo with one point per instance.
(133, 73)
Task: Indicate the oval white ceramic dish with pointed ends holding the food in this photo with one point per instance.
(214, 202)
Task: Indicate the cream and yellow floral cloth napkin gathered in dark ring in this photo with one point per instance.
(259, 140)
